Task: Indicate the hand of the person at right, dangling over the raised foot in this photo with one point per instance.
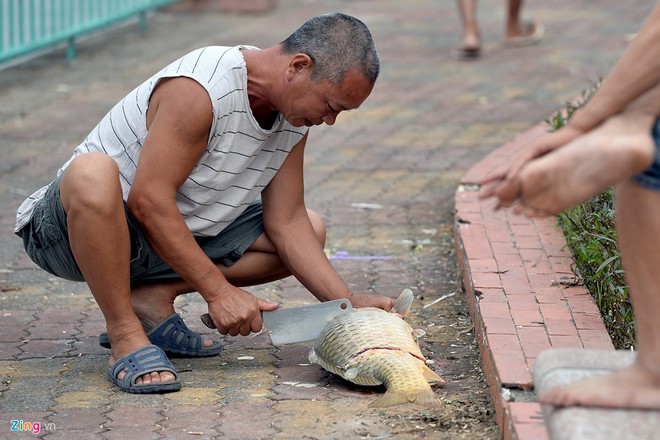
(504, 183)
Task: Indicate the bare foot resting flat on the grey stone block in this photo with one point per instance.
(630, 388)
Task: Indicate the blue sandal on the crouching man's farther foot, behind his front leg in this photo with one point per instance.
(174, 337)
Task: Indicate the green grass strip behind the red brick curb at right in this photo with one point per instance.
(591, 236)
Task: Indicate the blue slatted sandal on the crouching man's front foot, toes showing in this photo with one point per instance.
(142, 361)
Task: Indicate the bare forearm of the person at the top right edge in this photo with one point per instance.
(636, 72)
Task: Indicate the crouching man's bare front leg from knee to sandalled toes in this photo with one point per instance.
(92, 198)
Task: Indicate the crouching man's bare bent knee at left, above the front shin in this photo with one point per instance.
(91, 180)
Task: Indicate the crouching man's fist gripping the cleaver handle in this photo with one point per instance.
(237, 311)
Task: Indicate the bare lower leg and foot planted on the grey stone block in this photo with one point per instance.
(638, 228)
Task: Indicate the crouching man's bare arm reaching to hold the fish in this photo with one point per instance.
(288, 227)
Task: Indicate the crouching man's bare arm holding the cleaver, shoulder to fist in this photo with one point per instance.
(179, 121)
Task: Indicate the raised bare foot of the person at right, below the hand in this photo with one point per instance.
(569, 175)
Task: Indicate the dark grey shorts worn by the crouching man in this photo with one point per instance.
(46, 241)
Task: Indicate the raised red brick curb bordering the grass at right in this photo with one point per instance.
(517, 276)
